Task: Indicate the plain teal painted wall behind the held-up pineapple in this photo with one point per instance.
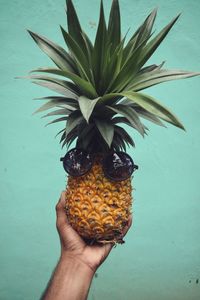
(161, 257)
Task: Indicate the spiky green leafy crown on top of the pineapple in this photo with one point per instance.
(101, 81)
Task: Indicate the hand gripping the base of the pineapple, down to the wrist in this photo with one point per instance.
(74, 247)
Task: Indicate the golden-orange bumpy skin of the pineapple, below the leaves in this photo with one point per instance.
(97, 208)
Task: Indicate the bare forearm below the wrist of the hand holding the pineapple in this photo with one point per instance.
(70, 281)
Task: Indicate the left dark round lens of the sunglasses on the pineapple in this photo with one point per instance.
(77, 162)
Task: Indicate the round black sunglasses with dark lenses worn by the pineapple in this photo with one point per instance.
(117, 166)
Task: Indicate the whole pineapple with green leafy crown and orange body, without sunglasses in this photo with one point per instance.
(100, 87)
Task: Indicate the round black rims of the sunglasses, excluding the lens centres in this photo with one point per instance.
(134, 167)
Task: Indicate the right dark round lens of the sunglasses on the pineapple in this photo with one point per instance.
(118, 166)
